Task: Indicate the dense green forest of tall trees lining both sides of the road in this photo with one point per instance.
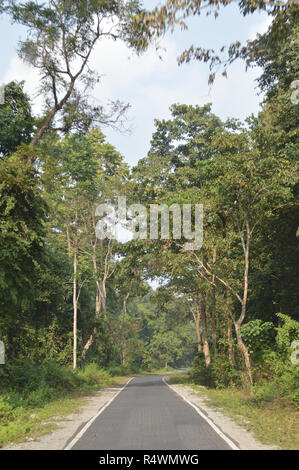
(70, 300)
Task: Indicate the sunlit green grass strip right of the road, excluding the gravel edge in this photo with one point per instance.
(273, 422)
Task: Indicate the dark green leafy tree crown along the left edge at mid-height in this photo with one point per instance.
(22, 237)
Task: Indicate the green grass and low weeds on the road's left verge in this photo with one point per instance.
(27, 410)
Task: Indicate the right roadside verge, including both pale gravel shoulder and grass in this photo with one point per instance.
(273, 425)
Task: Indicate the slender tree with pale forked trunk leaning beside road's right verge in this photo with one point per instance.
(247, 188)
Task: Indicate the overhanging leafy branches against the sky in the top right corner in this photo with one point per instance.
(170, 14)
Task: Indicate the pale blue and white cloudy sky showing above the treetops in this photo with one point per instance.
(150, 84)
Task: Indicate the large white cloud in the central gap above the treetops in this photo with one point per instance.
(152, 85)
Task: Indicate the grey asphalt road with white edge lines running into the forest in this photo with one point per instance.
(148, 415)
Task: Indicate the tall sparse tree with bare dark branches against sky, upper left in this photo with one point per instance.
(62, 36)
